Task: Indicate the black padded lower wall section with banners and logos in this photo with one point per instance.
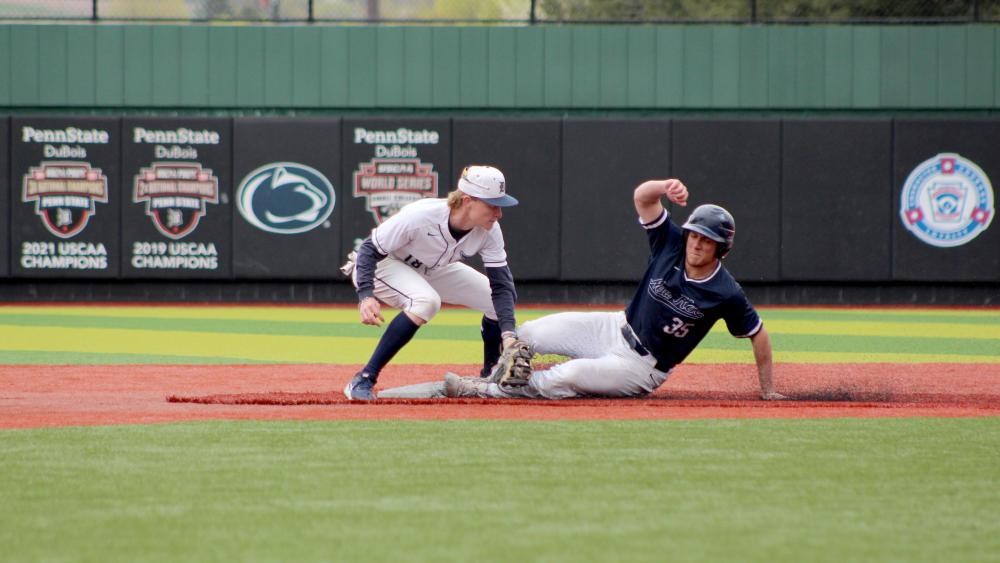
(816, 200)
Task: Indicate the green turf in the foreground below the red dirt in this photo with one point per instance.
(733, 490)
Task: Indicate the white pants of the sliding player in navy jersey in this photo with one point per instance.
(602, 365)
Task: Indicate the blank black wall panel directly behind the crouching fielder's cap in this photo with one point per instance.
(525, 151)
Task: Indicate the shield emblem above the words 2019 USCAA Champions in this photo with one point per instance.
(175, 195)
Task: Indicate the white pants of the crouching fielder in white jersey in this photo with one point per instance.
(422, 292)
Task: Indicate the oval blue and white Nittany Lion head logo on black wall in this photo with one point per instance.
(285, 198)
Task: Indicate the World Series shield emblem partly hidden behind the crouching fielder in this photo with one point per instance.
(387, 184)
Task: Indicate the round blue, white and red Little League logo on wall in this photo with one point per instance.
(946, 201)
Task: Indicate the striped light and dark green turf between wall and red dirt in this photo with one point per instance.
(149, 334)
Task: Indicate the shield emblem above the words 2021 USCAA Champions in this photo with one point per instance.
(64, 194)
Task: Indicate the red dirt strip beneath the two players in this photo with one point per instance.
(43, 396)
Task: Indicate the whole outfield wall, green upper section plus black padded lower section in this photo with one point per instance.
(807, 133)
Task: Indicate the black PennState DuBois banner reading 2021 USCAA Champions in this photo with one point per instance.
(65, 197)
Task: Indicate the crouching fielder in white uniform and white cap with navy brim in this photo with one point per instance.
(411, 262)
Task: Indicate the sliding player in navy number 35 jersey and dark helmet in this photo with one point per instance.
(630, 353)
